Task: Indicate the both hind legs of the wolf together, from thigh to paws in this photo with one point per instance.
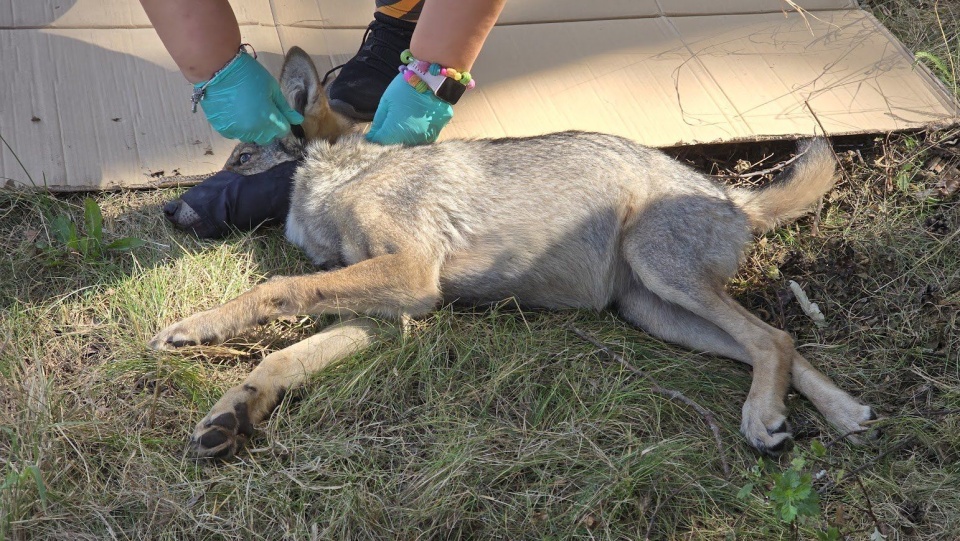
(682, 266)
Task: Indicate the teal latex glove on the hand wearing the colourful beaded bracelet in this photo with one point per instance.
(408, 117)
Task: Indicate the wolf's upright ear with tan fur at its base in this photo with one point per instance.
(300, 84)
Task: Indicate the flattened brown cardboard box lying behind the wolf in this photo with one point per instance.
(91, 99)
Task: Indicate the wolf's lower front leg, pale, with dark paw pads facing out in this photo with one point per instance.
(230, 423)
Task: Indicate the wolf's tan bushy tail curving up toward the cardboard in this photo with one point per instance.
(794, 191)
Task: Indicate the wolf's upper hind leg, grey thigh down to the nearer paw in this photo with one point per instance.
(683, 249)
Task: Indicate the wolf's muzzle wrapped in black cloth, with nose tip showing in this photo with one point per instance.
(230, 201)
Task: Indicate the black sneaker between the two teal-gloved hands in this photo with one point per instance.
(362, 80)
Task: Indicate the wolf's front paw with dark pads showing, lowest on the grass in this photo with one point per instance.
(223, 431)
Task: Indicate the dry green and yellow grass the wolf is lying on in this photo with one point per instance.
(487, 423)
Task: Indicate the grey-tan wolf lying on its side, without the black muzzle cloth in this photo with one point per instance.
(558, 221)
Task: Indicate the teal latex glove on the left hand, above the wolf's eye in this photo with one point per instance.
(244, 102)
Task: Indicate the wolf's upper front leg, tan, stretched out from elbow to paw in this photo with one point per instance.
(389, 285)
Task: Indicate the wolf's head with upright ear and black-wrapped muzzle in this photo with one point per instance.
(254, 185)
